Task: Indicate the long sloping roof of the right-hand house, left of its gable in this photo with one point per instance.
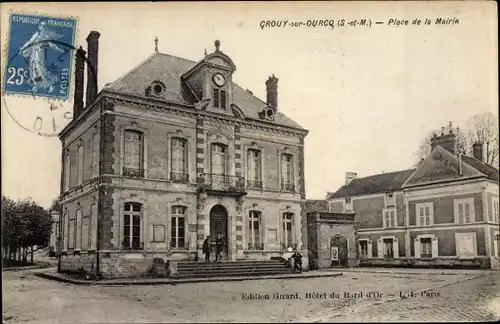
(378, 183)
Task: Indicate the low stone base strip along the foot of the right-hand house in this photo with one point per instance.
(454, 263)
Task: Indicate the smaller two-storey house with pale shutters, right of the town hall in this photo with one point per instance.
(442, 213)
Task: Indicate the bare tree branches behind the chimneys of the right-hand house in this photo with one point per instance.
(479, 128)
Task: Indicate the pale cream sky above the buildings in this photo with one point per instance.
(367, 95)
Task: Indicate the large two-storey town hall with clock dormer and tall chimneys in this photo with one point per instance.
(170, 153)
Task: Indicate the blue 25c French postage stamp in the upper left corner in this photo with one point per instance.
(39, 56)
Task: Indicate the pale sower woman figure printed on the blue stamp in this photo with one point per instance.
(34, 50)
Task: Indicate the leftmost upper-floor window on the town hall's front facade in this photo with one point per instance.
(133, 154)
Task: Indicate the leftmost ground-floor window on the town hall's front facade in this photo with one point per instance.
(132, 226)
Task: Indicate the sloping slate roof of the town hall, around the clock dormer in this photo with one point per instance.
(168, 69)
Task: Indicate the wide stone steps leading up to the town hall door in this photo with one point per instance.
(231, 269)
